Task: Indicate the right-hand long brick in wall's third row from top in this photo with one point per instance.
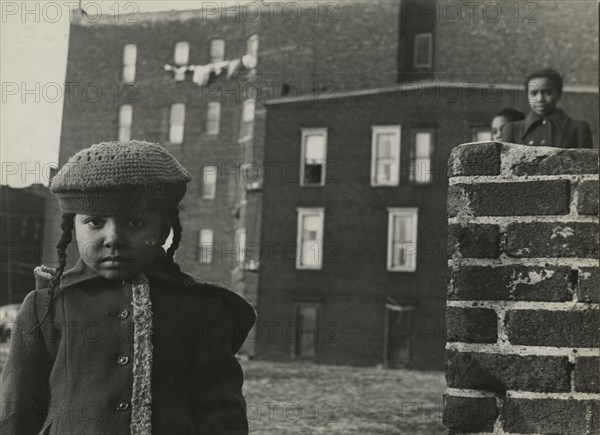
(546, 239)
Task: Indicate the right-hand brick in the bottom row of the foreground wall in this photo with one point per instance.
(551, 416)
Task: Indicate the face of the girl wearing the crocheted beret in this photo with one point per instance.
(118, 247)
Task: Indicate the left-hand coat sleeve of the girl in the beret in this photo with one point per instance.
(24, 391)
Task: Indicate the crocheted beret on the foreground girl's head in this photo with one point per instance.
(119, 177)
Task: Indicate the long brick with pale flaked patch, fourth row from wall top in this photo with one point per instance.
(519, 283)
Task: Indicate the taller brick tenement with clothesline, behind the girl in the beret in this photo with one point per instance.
(117, 86)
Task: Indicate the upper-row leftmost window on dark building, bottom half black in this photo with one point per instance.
(313, 157)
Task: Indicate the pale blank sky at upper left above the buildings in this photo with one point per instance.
(34, 44)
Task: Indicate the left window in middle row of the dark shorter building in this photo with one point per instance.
(310, 238)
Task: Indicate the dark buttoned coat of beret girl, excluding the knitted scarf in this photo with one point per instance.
(74, 374)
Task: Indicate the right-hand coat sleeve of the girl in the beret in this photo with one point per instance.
(219, 406)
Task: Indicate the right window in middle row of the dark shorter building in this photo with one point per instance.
(402, 239)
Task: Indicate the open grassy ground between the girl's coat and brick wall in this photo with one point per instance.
(302, 399)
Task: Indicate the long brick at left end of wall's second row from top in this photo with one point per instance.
(510, 199)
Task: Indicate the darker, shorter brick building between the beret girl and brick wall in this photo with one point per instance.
(350, 183)
